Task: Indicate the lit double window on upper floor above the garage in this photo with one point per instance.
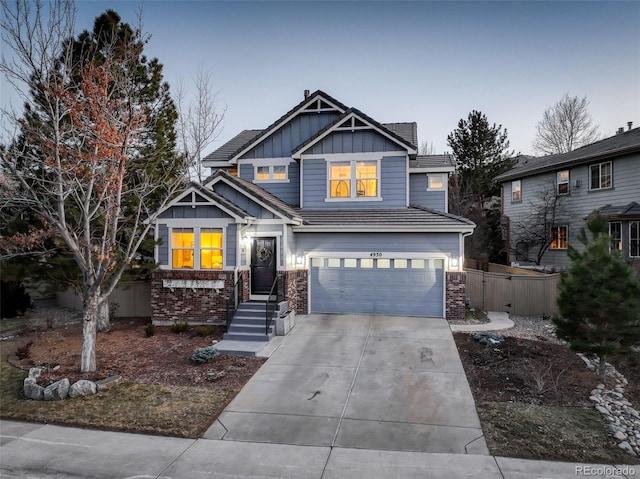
(353, 179)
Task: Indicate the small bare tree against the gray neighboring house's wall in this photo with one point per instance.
(532, 232)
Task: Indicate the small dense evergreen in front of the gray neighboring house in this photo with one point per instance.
(599, 299)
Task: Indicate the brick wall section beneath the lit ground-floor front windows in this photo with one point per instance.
(186, 304)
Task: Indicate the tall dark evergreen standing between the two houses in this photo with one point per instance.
(481, 152)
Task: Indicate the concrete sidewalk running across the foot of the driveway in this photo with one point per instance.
(51, 452)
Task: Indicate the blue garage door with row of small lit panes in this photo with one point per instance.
(401, 287)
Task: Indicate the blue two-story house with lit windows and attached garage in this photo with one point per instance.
(336, 204)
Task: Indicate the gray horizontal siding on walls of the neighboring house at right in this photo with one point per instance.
(580, 201)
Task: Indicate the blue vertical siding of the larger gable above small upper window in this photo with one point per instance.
(282, 142)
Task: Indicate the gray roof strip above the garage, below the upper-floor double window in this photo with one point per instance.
(410, 219)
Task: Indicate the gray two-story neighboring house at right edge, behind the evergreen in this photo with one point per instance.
(603, 176)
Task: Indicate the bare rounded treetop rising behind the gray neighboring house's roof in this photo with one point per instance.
(565, 126)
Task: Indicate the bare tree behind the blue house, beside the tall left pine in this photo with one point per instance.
(199, 121)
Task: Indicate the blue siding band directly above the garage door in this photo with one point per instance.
(445, 243)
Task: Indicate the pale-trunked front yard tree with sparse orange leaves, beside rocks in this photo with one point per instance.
(76, 162)
